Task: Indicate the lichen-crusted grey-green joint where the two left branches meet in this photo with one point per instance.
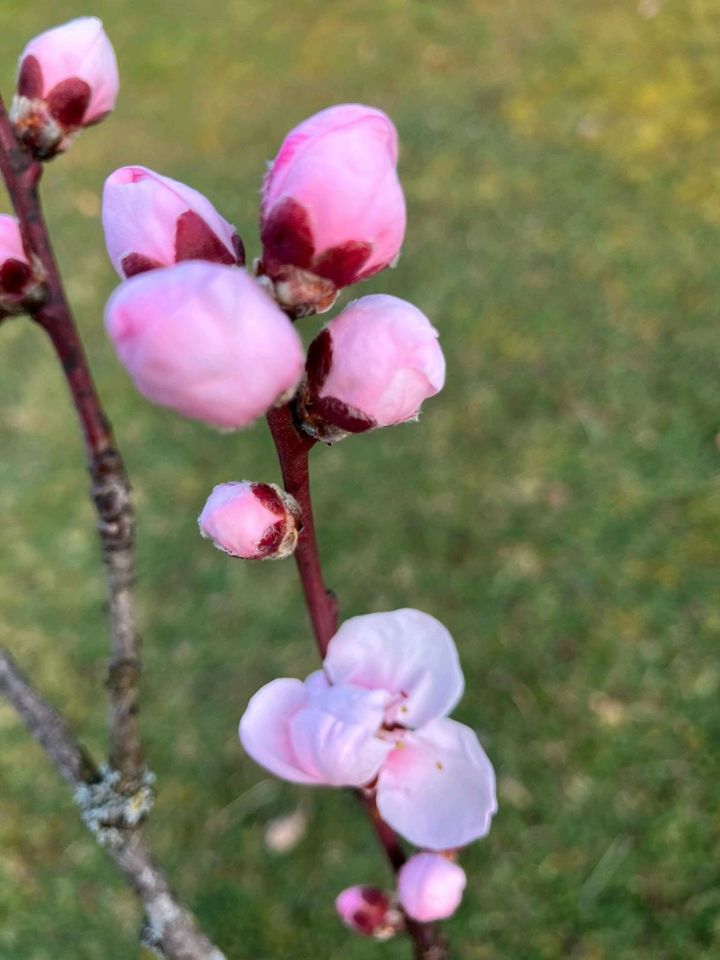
(106, 812)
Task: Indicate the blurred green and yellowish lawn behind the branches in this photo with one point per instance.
(557, 507)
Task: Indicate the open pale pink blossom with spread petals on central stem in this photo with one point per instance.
(375, 717)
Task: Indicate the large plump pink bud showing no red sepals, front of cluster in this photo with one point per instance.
(205, 340)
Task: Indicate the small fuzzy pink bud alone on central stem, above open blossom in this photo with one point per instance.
(255, 521)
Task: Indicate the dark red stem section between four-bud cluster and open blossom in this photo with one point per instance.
(292, 447)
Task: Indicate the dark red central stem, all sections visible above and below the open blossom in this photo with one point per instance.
(293, 447)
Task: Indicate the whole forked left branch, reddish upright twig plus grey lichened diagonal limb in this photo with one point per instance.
(169, 927)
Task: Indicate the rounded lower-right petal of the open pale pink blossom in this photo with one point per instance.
(437, 787)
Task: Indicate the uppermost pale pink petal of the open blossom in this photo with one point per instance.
(405, 652)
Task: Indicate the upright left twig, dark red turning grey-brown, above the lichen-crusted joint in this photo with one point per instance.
(110, 488)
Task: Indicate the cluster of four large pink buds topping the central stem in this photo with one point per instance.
(215, 342)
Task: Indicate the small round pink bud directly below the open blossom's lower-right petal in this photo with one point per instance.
(430, 887)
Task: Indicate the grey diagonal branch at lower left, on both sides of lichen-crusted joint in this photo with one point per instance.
(169, 927)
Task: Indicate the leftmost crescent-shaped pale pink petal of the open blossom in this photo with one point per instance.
(265, 732)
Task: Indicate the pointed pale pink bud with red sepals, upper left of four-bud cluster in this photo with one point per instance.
(152, 221)
